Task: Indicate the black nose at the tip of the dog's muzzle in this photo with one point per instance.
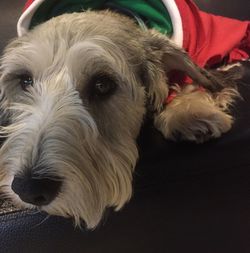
(38, 192)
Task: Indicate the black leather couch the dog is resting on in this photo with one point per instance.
(187, 198)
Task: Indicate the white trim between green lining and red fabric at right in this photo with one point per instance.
(175, 16)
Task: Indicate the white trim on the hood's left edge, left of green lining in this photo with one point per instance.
(24, 21)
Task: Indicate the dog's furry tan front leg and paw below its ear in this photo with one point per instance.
(196, 115)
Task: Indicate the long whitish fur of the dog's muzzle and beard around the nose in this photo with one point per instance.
(63, 139)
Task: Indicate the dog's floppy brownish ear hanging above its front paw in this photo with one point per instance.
(164, 56)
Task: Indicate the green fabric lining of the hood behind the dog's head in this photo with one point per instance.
(152, 12)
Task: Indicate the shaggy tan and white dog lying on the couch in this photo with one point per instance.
(74, 96)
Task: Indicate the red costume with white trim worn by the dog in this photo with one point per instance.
(208, 39)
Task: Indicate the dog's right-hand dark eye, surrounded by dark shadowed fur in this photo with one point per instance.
(103, 86)
